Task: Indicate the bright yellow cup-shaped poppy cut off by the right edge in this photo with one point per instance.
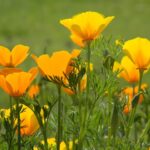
(138, 50)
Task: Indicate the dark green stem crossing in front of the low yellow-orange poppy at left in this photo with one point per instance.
(18, 115)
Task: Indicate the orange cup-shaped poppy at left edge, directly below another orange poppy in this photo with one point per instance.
(16, 83)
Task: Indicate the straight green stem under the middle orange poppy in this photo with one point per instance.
(59, 132)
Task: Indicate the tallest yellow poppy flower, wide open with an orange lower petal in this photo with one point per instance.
(86, 26)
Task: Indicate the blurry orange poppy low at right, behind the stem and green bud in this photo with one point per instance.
(130, 92)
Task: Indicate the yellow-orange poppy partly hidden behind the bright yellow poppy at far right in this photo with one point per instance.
(128, 70)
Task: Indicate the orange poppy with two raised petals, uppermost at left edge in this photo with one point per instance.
(13, 58)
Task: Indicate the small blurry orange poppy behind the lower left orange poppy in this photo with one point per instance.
(33, 91)
